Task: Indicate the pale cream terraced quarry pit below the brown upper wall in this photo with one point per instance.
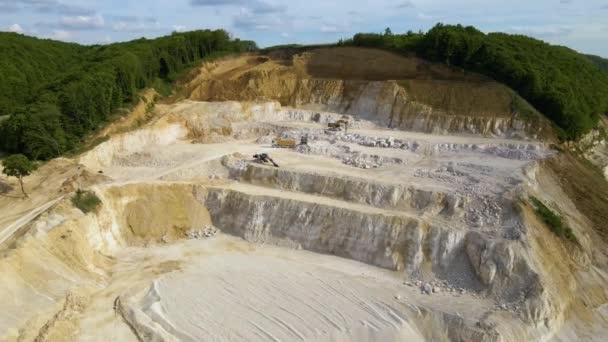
(378, 232)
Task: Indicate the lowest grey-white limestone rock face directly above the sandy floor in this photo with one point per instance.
(379, 238)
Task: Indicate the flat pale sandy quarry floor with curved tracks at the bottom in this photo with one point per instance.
(228, 289)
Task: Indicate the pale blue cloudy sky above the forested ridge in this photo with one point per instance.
(580, 24)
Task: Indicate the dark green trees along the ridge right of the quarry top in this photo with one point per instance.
(564, 85)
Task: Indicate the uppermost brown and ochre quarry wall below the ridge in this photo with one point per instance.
(400, 92)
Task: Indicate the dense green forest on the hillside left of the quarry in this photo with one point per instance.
(53, 94)
